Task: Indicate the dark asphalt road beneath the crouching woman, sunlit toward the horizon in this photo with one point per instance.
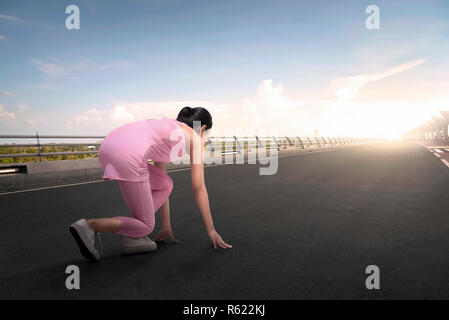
(308, 231)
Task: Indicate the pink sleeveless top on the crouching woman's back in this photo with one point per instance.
(125, 151)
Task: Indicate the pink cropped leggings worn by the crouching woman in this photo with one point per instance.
(144, 199)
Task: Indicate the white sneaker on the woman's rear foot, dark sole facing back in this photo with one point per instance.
(85, 238)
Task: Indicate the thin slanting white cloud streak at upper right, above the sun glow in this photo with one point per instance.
(346, 88)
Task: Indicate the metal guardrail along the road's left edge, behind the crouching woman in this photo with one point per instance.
(225, 145)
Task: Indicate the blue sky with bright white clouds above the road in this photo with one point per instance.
(280, 65)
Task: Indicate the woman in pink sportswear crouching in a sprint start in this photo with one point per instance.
(146, 188)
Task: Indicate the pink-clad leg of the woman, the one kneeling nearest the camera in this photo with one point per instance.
(139, 199)
